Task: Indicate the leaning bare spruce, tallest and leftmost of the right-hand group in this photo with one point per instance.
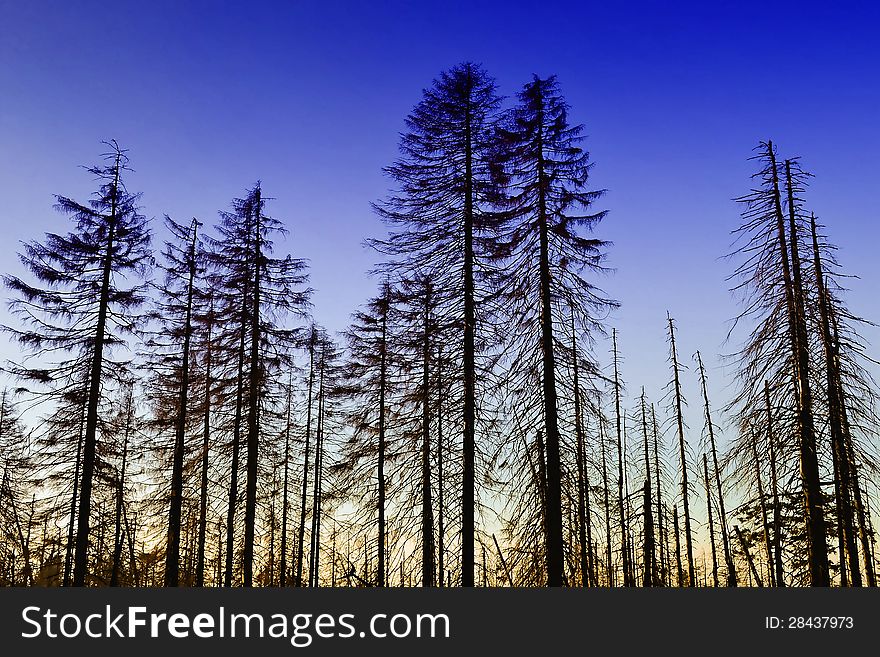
(778, 349)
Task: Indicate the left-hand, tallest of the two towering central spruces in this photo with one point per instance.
(440, 219)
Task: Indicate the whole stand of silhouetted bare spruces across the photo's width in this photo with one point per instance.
(180, 418)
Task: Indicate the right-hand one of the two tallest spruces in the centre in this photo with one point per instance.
(545, 254)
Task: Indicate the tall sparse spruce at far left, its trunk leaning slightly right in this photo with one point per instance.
(83, 308)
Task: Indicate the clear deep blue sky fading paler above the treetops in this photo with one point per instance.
(310, 98)
